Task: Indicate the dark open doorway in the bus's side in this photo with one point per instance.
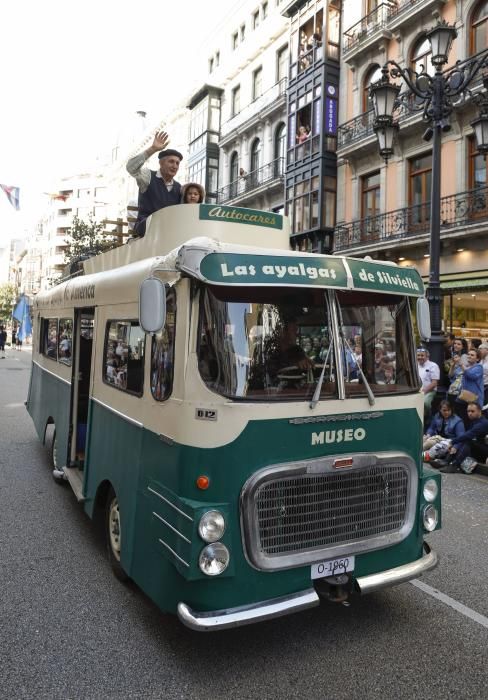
(82, 342)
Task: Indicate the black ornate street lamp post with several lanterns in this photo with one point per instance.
(435, 95)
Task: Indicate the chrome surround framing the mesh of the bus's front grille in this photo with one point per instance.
(249, 525)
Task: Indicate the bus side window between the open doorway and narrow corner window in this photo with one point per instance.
(124, 356)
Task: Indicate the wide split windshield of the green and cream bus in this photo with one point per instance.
(273, 343)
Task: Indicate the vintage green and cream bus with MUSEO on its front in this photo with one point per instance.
(244, 420)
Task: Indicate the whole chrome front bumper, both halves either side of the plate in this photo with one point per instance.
(277, 607)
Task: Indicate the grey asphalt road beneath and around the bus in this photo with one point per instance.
(69, 629)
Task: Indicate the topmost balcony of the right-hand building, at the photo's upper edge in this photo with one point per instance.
(381, 23)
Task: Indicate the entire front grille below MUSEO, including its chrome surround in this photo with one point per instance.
(303, 513)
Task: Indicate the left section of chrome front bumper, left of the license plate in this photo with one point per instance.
(246, 614)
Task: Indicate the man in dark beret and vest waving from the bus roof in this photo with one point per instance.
(157, 189)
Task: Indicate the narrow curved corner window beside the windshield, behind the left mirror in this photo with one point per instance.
(163, 351)
